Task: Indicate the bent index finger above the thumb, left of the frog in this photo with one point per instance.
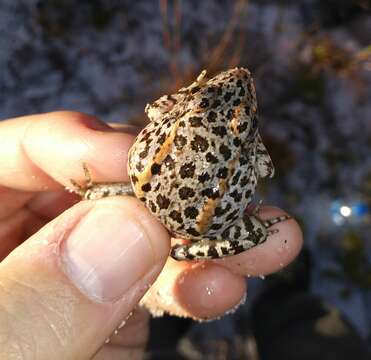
(41, 152)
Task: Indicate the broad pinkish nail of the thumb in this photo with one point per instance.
(107, 253)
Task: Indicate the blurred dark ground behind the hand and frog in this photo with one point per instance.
(311, 60)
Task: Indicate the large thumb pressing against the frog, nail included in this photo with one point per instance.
(67, 288)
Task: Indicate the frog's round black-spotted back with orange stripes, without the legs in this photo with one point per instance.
(195, 166)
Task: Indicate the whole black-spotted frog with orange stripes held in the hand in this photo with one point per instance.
(196, 166)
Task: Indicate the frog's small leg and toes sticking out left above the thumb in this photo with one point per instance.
(94, 191)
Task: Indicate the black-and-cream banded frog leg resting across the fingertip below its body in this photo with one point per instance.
(245, 234)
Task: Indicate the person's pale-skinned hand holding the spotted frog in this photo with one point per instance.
(42, 307)
